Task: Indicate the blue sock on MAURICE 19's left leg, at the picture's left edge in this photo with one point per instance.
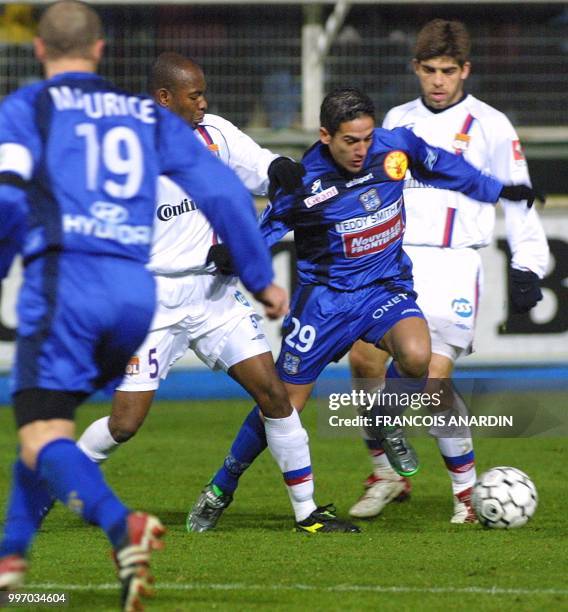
(26, 509)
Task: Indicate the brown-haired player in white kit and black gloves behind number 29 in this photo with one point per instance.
(444, 232)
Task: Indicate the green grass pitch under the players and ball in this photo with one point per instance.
(409, 558)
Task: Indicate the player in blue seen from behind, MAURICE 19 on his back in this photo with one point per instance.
(79, 162)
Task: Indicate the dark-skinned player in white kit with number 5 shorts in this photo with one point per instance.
(199, 308)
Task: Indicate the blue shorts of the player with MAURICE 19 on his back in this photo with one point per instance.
(80, 319)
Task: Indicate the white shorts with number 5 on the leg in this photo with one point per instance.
(205, 313)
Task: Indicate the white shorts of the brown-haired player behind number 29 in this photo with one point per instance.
(448, 283)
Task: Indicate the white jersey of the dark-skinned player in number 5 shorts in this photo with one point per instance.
(182, 234)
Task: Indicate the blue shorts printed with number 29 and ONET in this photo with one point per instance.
(323, 323)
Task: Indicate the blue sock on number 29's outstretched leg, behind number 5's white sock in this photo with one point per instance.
(249, 443)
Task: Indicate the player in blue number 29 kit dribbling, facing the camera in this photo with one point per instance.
(355, 280)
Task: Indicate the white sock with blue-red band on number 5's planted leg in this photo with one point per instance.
(288, 442)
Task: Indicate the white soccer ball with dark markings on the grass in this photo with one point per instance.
(504, 498)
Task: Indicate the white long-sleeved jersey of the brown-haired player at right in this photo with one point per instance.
(488, 141)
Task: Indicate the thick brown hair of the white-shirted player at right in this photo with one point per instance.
(440, 37)
